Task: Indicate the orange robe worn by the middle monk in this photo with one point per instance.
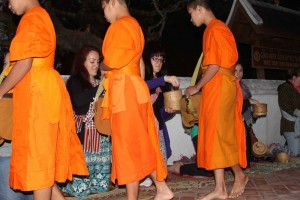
(135, 144)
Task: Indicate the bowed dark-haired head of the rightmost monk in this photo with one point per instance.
(200, 11)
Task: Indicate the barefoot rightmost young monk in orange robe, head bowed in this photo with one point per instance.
(221, 138)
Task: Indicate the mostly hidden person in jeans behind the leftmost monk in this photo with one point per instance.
(5, 153)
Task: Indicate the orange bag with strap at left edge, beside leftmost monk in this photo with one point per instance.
(6, 110)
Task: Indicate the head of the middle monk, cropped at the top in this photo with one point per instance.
(114, 9)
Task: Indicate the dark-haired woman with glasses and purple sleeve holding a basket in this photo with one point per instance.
(156, 78)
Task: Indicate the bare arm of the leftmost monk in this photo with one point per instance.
(17, 72)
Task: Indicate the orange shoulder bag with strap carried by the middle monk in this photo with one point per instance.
(102, 125)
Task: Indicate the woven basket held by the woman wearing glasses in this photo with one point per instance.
(172, 99)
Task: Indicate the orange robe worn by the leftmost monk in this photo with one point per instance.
(45, 147)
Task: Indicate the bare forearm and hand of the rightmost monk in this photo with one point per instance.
(207, 76)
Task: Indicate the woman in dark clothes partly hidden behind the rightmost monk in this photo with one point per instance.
(247, 111)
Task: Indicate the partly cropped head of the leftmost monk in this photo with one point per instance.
(20, 7)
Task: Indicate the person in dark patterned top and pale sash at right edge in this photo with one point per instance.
(289, 103)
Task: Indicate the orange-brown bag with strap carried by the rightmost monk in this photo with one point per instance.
(189, 105)
